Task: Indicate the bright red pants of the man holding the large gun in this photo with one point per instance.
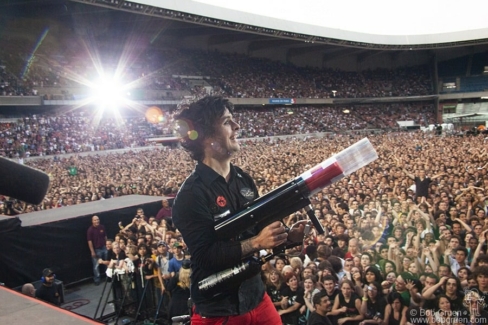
(264, 314)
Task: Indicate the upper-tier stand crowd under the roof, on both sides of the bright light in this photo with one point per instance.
(231, 75)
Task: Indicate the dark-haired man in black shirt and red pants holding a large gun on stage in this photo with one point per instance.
(215, 189)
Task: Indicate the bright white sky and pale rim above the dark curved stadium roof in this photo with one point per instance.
(375, 21)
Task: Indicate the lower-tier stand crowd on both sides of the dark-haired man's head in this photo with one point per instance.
(79, 131)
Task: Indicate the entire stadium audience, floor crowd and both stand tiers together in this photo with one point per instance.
(405, 237)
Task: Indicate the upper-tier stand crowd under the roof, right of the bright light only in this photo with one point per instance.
(244, 77)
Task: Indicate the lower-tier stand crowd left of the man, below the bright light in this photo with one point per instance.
(51, 134)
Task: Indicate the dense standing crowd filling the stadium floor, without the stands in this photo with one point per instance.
(388, 249)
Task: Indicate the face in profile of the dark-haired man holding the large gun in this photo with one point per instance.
(224, 140)
